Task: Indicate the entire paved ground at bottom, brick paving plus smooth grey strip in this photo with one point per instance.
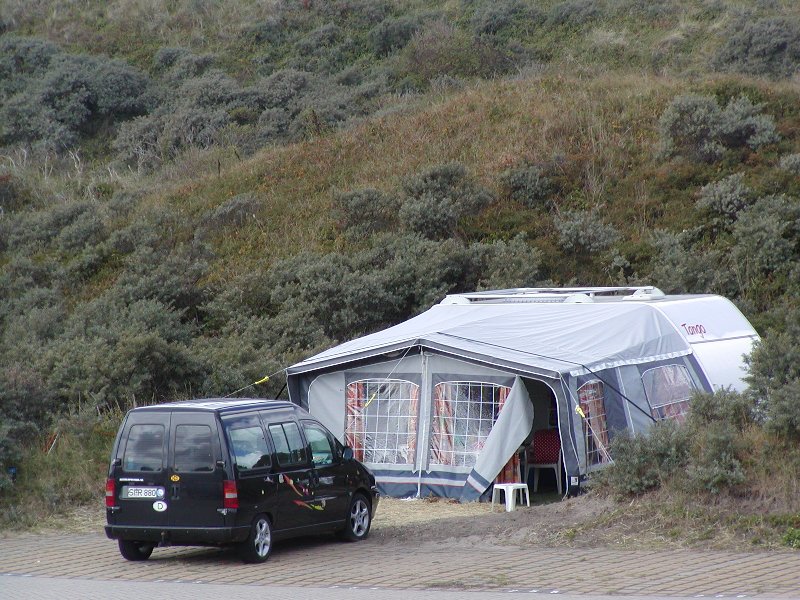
(34, 566)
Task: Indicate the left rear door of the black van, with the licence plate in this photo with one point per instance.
(140, 471)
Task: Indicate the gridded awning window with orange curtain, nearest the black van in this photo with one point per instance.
(381, 424)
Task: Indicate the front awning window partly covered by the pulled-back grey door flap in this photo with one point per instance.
(463, 415)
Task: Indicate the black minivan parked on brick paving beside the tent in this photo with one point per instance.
(221, 471)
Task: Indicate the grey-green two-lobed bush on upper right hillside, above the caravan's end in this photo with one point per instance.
(696, 127)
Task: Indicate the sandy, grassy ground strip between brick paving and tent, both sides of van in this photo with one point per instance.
(586, 521)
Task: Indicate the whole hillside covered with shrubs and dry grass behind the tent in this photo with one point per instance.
(195, 195)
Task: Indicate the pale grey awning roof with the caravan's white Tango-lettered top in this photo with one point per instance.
(552, 331)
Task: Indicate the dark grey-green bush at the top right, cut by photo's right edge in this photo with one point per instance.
(768, 46)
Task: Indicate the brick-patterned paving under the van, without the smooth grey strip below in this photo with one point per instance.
(307, 564)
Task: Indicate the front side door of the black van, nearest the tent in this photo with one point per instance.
(328, 475)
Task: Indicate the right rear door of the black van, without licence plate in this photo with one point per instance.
(195, 481)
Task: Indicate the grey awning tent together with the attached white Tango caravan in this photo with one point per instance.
(589, 348)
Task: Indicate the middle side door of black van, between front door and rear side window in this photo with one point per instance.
(293, 474)
